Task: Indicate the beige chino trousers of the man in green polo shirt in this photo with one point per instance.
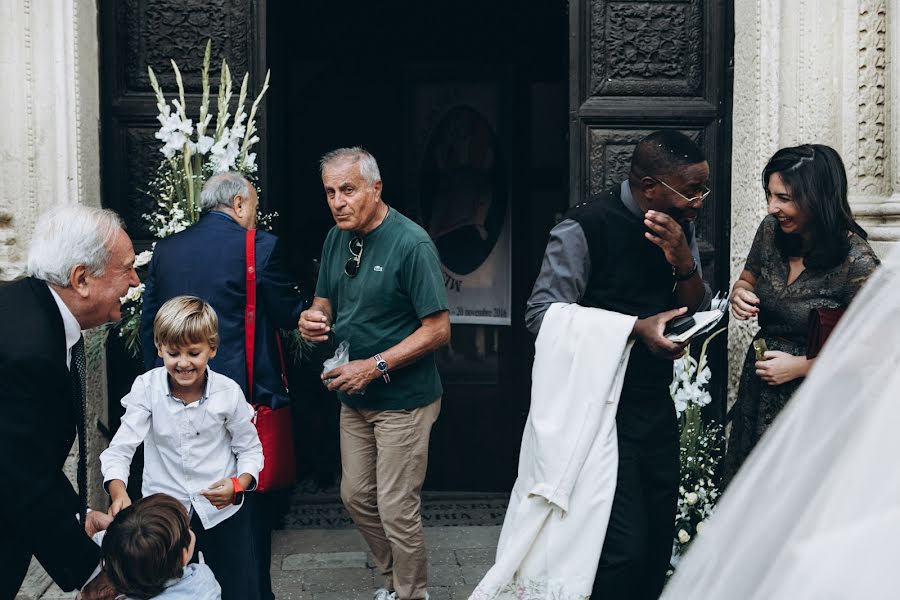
(384, 456)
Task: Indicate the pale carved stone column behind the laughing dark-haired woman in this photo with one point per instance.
(812, 71)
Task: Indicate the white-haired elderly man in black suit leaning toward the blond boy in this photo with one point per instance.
(80, 263)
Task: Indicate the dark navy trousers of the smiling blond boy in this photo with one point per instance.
(228, 550)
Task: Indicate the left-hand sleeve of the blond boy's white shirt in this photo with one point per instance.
(115, 461)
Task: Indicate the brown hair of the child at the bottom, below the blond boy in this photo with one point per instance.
(143, 546)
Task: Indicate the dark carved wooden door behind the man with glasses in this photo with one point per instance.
(639, 66)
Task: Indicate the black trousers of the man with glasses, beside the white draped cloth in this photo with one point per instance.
(638, 542)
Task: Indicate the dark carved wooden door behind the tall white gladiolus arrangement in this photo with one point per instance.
(133, 35)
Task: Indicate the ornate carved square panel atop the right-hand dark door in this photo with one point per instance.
(646, 48)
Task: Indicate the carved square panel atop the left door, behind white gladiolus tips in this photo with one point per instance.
(158, 30)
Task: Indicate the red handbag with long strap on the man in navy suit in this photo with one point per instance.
(274, 426)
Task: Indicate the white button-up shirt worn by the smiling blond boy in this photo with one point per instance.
(187, 447)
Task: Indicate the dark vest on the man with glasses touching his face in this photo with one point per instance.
(629, 275)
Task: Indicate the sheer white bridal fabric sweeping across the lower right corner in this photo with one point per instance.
(815, 511)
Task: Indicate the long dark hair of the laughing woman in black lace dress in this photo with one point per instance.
(815, 176)
